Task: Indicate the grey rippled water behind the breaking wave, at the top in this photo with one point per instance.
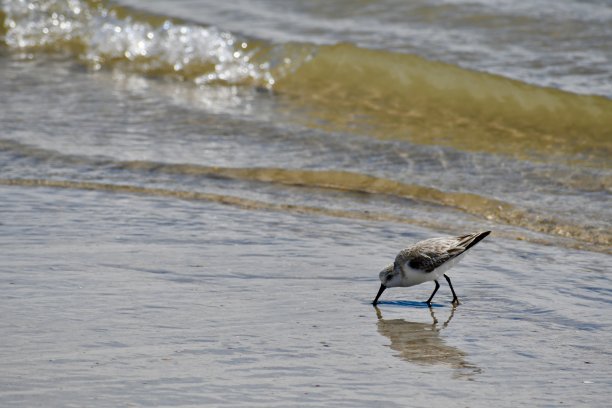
(549, 43)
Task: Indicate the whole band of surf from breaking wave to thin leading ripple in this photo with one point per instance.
(124, 96)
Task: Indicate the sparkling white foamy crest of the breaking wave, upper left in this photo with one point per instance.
(102, 35)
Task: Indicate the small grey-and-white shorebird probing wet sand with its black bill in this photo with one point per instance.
(426, 261)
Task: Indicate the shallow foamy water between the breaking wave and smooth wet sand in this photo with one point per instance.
(127, 130)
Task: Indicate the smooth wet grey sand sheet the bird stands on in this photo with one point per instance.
(113, 299)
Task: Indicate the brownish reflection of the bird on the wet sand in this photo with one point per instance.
(420, 343)
